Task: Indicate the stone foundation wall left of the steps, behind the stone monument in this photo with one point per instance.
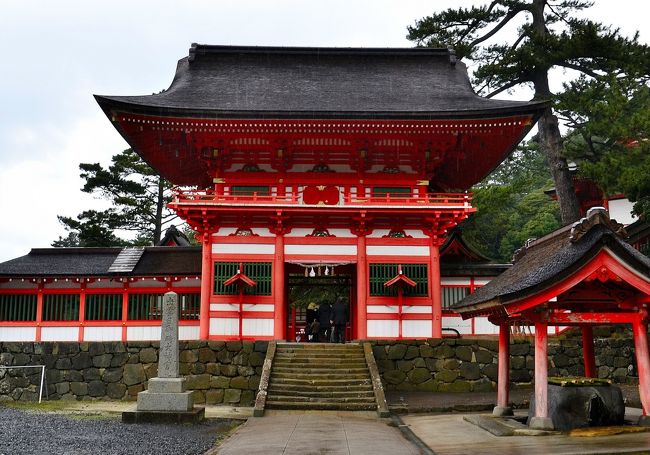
(225, 372)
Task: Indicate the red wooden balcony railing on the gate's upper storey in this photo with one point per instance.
(443, 200)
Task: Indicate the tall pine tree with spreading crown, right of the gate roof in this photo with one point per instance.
(549, 35)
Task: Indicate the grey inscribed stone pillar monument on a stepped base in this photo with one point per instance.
(166, 399)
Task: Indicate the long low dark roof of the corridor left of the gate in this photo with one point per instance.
(97, 261)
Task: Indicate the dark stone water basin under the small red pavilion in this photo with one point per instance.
(582, 402)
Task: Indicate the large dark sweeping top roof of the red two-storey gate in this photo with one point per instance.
(231, 81)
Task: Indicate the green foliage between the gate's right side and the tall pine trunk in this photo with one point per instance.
(512, 206)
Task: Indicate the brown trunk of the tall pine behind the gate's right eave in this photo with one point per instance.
(550, 139)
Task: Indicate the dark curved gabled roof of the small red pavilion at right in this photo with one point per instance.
(546, 262)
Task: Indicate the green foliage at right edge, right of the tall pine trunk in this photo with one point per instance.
(611, 120)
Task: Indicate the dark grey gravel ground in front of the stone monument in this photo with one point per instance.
(23, 433)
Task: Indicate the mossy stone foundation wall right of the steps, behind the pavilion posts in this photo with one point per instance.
(470, 364)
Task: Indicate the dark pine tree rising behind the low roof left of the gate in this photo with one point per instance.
(138, 198)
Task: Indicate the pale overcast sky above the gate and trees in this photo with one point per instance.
(57, 54)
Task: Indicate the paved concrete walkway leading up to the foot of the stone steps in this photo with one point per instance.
(303, 433)
